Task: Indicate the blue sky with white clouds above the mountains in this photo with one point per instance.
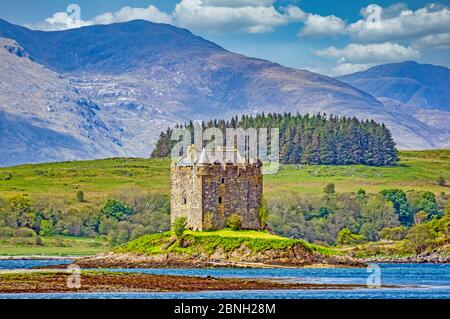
(332, 37)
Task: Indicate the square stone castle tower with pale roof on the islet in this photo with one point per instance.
(216, 188)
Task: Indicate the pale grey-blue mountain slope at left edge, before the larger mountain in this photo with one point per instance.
(42, 117)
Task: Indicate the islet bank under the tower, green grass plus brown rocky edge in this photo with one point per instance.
(223, 248)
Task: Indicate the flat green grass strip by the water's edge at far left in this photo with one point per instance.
(53, 246)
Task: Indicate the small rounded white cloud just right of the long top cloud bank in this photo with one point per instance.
(317, 26)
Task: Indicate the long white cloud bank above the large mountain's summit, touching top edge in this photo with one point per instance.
(253, 16)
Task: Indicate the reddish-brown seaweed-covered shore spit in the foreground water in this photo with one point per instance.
(101, 281)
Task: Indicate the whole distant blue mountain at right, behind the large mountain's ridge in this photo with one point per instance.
(419, 90)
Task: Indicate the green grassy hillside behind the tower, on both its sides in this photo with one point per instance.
(98, 179)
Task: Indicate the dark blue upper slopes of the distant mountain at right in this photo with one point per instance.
(420, 85)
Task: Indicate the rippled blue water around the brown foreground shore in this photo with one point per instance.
(417, 281)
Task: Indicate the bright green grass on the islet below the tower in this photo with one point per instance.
(209, 242)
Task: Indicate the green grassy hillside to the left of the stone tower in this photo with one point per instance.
(97, 178)
